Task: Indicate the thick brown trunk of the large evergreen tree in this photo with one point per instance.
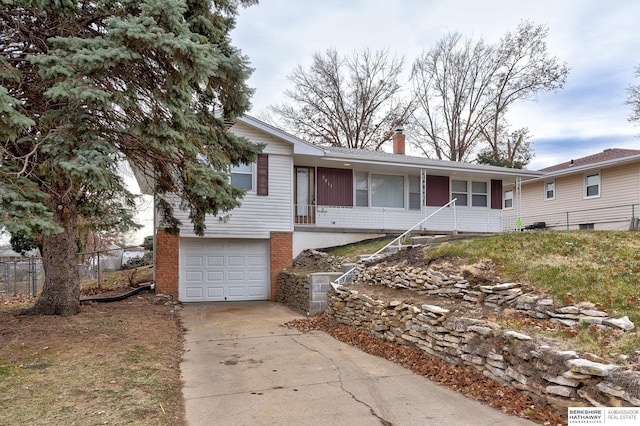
(61, 291)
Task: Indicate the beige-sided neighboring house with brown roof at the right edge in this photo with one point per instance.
(601, 191)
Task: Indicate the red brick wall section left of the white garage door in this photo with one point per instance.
(167, 263)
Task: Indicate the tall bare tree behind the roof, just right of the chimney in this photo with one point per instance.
(451, 83)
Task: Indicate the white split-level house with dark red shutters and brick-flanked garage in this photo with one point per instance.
(303, 196)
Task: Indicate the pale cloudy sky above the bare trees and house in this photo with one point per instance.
(598, 40)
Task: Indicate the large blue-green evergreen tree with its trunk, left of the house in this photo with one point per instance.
(85, 85)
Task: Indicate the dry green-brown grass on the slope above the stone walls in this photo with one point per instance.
(601, 268)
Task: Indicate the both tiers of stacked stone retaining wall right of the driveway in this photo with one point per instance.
(561, 378)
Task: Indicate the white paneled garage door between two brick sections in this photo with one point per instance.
(223, 270)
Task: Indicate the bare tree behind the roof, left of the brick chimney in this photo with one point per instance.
(351, 101)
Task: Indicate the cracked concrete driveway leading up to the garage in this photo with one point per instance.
(241, 367)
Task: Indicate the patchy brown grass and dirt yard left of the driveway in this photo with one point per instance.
(114, 363)
